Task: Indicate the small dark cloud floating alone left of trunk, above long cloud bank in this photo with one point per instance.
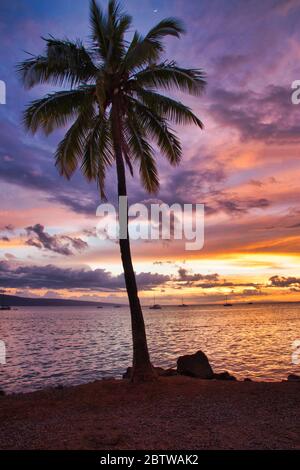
(62, 244)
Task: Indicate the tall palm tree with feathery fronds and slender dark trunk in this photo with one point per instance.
(116, 114)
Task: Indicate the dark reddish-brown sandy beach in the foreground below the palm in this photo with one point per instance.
(174, 413)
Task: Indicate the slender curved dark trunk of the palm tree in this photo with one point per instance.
(142, 368)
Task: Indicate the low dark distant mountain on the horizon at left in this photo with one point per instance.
(15, 301)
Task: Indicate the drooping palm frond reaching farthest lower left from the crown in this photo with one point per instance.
(57, 109)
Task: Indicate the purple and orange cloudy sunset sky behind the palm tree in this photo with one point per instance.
(244, 166)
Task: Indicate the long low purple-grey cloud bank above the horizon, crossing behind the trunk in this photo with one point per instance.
(54, 277)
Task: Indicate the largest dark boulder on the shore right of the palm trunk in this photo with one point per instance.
(195, 365)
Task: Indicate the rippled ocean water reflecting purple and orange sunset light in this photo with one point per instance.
(48, 346)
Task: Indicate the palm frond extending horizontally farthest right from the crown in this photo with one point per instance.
(168, 76)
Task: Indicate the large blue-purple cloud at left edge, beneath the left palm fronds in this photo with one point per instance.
(33, 168)
